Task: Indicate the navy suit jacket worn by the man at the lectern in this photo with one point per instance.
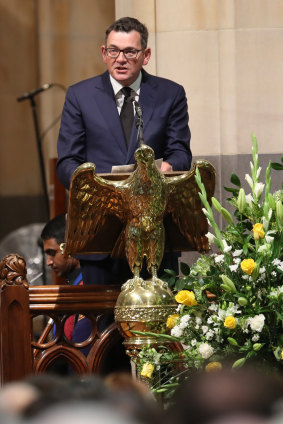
(91, 130)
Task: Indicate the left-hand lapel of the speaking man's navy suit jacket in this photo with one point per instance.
(104, 97)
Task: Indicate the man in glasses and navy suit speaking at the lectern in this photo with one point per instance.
(91, 129)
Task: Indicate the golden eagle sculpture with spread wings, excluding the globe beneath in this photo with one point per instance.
(139, 203)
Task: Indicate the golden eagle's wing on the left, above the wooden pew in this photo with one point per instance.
(91, 199)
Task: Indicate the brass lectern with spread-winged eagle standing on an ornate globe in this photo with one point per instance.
(138, 215)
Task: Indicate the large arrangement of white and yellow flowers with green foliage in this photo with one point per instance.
(230, 302)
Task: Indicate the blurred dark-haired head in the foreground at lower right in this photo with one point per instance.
(226, 395)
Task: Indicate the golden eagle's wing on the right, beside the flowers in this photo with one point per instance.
(185, 206)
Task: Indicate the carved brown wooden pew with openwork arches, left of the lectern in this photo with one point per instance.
(20, 353)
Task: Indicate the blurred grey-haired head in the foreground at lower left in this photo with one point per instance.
(56, 397)
